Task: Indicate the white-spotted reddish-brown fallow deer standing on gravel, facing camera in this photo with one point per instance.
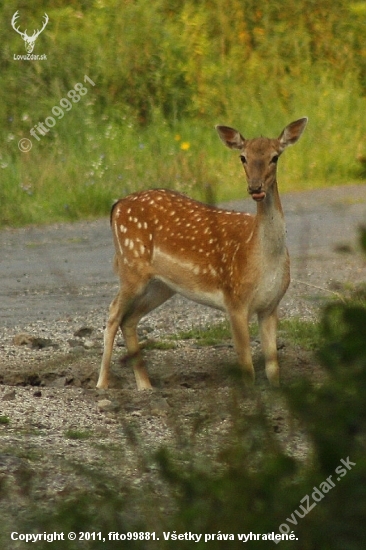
(166, 243)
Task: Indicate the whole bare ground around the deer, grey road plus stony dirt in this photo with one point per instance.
(56, 285)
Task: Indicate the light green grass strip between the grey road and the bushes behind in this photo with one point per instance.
(78, 170)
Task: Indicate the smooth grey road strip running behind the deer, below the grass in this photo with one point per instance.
(64, 270)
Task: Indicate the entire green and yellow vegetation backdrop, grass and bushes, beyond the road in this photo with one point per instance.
(165, 73)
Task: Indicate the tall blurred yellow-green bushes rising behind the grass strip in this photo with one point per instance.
(198, 58)
